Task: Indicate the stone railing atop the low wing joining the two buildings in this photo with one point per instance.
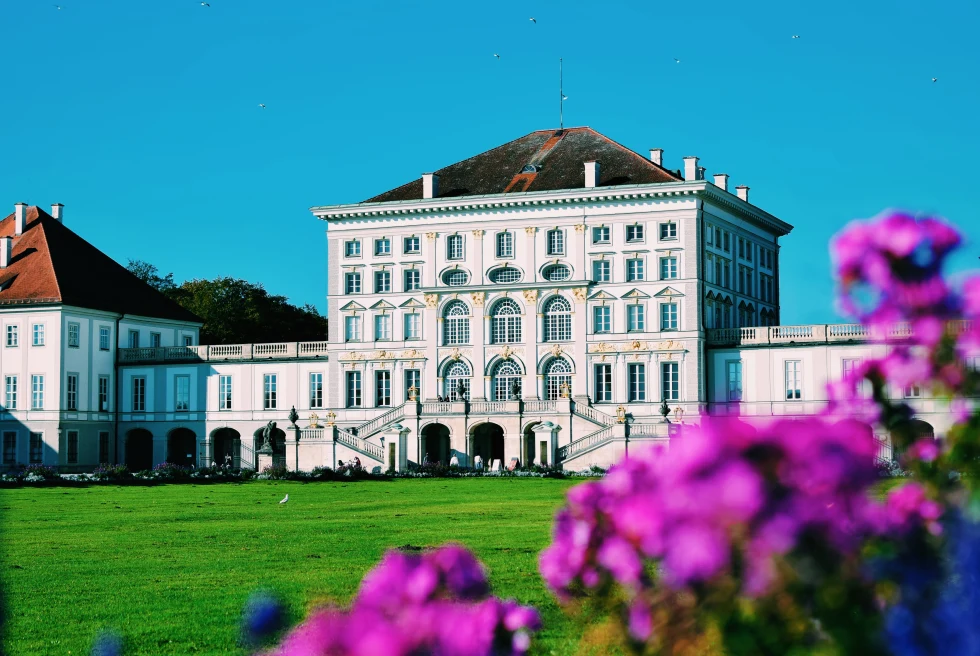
(221, 352)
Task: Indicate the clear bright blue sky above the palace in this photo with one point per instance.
(143, 117)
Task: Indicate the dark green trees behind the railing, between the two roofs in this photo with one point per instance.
(236, 311)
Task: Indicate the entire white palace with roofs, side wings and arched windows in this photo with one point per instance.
(544, 301)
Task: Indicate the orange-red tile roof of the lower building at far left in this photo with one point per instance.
(51, 264)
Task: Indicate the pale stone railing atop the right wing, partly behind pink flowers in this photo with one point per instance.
(817, 333)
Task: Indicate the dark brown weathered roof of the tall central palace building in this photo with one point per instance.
(558, 159)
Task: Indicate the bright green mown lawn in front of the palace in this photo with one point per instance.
(171, 566)
